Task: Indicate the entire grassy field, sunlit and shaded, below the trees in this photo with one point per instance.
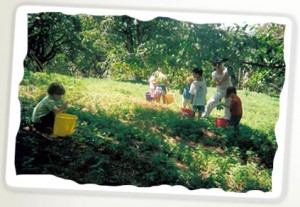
(122, 139)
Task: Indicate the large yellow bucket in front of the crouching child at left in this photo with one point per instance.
(64, 124)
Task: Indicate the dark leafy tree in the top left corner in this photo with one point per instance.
(50, 34)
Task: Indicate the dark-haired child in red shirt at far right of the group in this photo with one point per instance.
(236, 109)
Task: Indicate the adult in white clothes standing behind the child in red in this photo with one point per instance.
(222, 80)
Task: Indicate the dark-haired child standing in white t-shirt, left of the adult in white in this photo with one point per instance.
(198, 91)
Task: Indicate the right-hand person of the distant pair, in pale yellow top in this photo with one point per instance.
(162, 85)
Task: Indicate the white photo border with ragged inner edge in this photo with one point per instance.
(47, 182)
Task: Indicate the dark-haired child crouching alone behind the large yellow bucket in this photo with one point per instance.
(44, 113)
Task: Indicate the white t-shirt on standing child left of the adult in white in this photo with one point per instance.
(198, 90)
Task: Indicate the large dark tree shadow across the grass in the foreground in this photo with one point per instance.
(152, 147)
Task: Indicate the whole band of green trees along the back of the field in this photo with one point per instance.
(123, 48)
